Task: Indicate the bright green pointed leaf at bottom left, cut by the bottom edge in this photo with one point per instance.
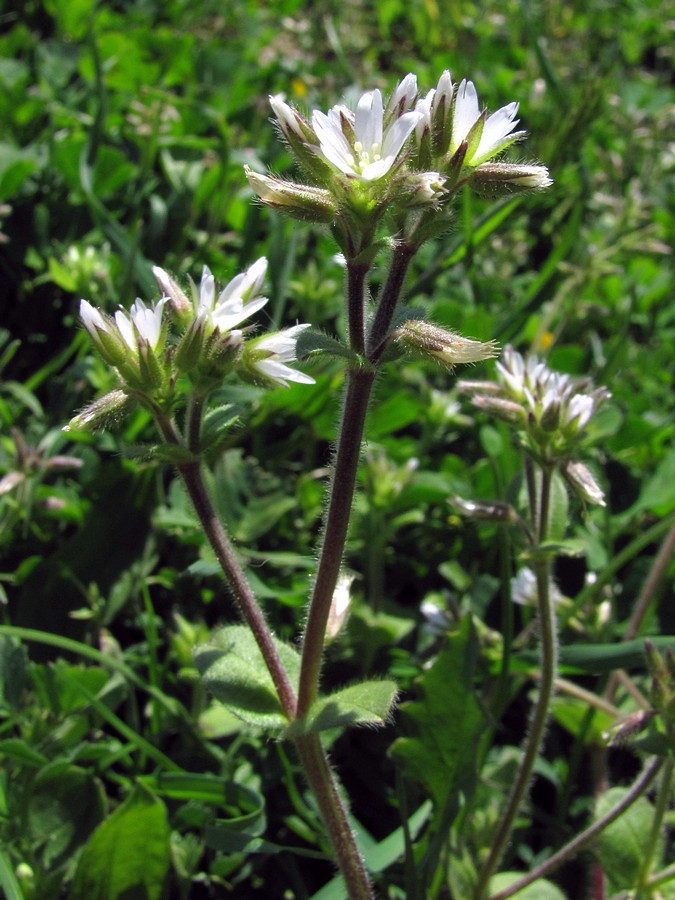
(128, 855)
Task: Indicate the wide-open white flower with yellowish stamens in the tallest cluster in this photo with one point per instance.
(375, 149)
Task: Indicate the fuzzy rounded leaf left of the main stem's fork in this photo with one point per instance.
(235, 672)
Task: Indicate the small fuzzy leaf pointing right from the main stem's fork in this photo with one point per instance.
(366, 703)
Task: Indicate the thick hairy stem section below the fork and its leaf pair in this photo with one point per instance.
(325, 788)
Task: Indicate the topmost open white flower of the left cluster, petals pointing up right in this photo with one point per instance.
(238, 300)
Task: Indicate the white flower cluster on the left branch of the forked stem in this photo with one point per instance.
(208, 345)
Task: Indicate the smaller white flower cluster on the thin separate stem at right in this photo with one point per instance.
(550, 410)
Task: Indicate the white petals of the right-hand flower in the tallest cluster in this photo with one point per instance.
(497, 131)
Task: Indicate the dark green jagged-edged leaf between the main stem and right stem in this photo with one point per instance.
(446, 721)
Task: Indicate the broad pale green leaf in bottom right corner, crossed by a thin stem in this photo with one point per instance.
(621, 847)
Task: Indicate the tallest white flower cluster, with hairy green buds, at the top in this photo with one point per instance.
(415, 150)
